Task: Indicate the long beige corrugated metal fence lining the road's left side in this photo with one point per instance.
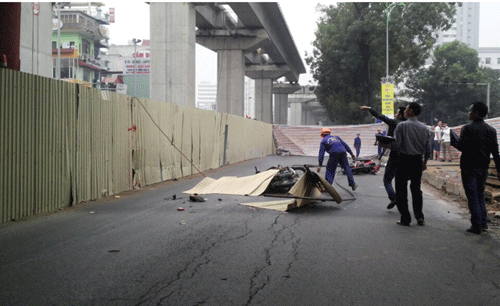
(64, 143)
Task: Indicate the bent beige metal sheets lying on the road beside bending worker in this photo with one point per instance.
(310, 185)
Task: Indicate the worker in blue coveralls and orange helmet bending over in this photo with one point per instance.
(337, 149)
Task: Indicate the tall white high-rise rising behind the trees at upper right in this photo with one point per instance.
(466, 26)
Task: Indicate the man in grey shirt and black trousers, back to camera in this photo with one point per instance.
(412, 141)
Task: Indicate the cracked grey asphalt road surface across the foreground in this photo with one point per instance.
(139, 250)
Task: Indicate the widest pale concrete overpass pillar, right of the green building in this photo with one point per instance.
(173, 52)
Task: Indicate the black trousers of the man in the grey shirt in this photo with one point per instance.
(409, 168)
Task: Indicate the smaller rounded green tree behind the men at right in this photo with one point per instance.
(442, 88)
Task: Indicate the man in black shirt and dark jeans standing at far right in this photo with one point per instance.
(476, 142)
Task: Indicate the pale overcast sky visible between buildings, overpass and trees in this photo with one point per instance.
(132, 21)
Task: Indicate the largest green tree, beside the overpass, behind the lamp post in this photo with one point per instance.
(349, 52)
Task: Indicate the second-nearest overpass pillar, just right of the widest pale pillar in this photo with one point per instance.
(231, 82)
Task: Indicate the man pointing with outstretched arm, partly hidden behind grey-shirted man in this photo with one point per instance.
(390, 168)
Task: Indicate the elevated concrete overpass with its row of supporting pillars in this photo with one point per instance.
(251, 39)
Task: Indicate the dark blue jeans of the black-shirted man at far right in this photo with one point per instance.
(474, 181)
